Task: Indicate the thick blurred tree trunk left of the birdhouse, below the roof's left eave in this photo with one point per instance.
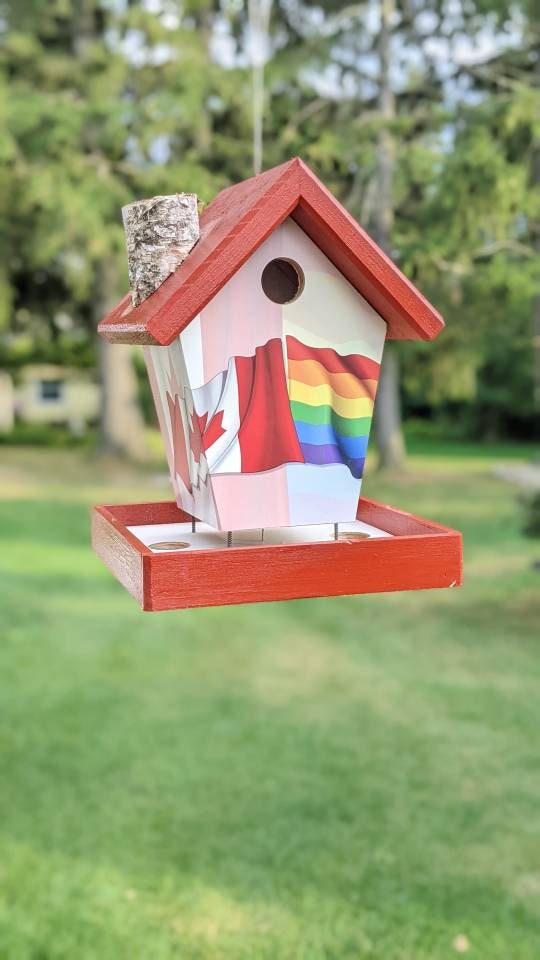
(121, 422)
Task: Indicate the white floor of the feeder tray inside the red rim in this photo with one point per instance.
(206, 538)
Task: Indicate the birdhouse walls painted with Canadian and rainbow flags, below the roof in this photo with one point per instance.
(265, 408)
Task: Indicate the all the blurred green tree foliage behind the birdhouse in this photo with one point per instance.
(102, 102)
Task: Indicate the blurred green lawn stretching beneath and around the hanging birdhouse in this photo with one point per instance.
(335, 779)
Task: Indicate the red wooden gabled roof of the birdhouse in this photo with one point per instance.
(236, 223)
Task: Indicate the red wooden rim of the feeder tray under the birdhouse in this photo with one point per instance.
(420, 555)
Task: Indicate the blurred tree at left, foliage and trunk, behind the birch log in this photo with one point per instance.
(102, 106)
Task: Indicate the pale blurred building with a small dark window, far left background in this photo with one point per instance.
(49, 394)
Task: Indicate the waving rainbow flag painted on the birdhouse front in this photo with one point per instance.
(331, 398)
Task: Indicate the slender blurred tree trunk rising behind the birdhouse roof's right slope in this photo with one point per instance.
(387, 423)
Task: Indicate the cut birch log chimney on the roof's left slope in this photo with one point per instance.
(160, 232)
